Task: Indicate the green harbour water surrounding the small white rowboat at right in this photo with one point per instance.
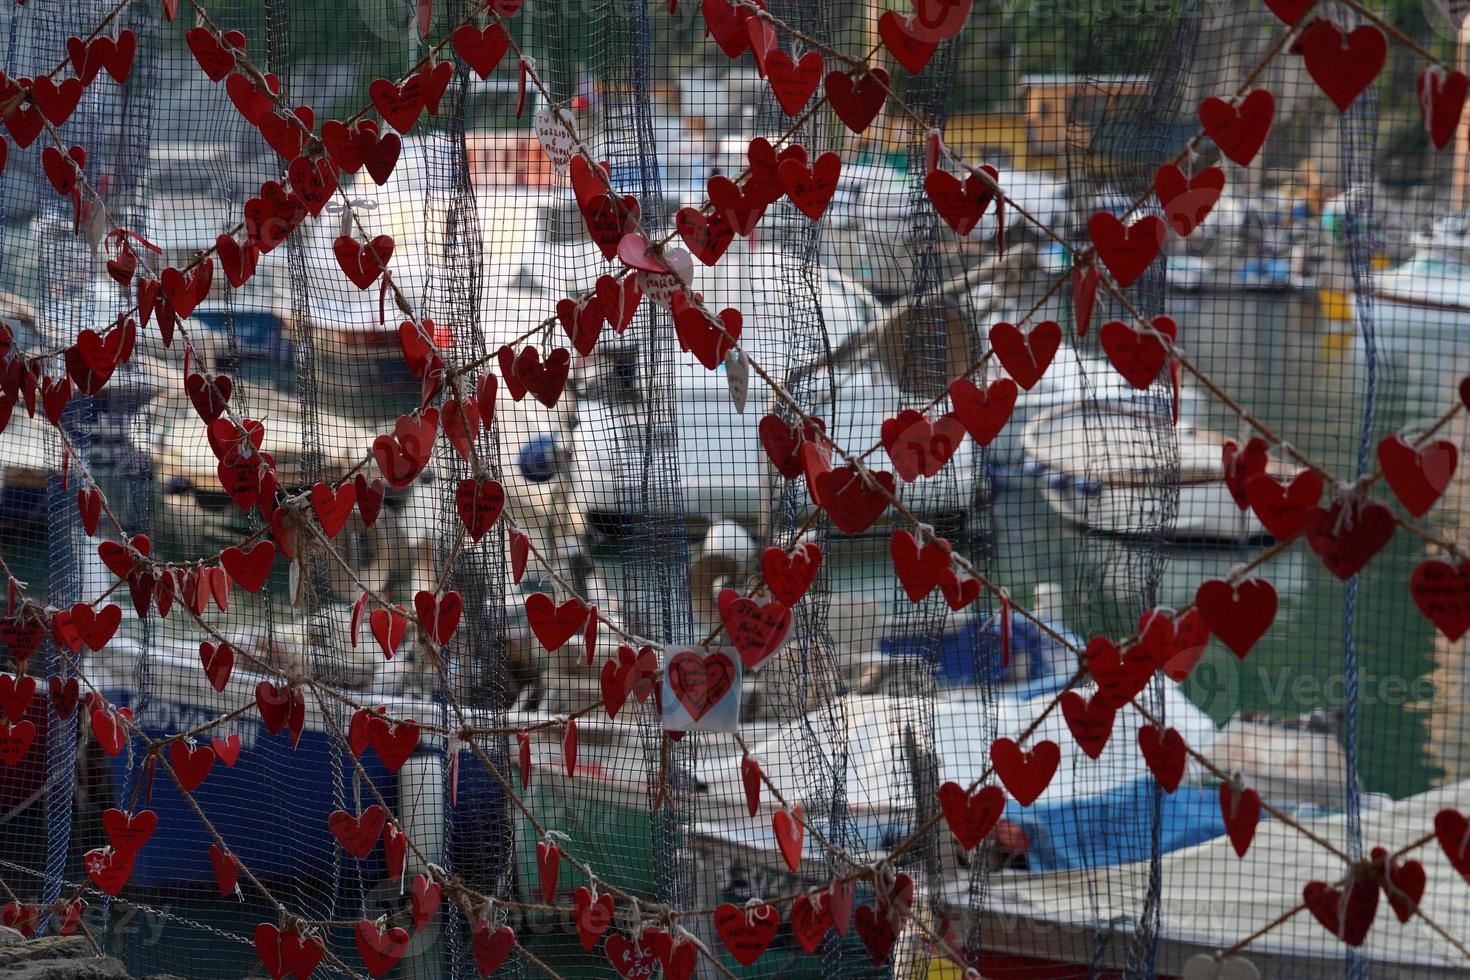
(1309, 384)
